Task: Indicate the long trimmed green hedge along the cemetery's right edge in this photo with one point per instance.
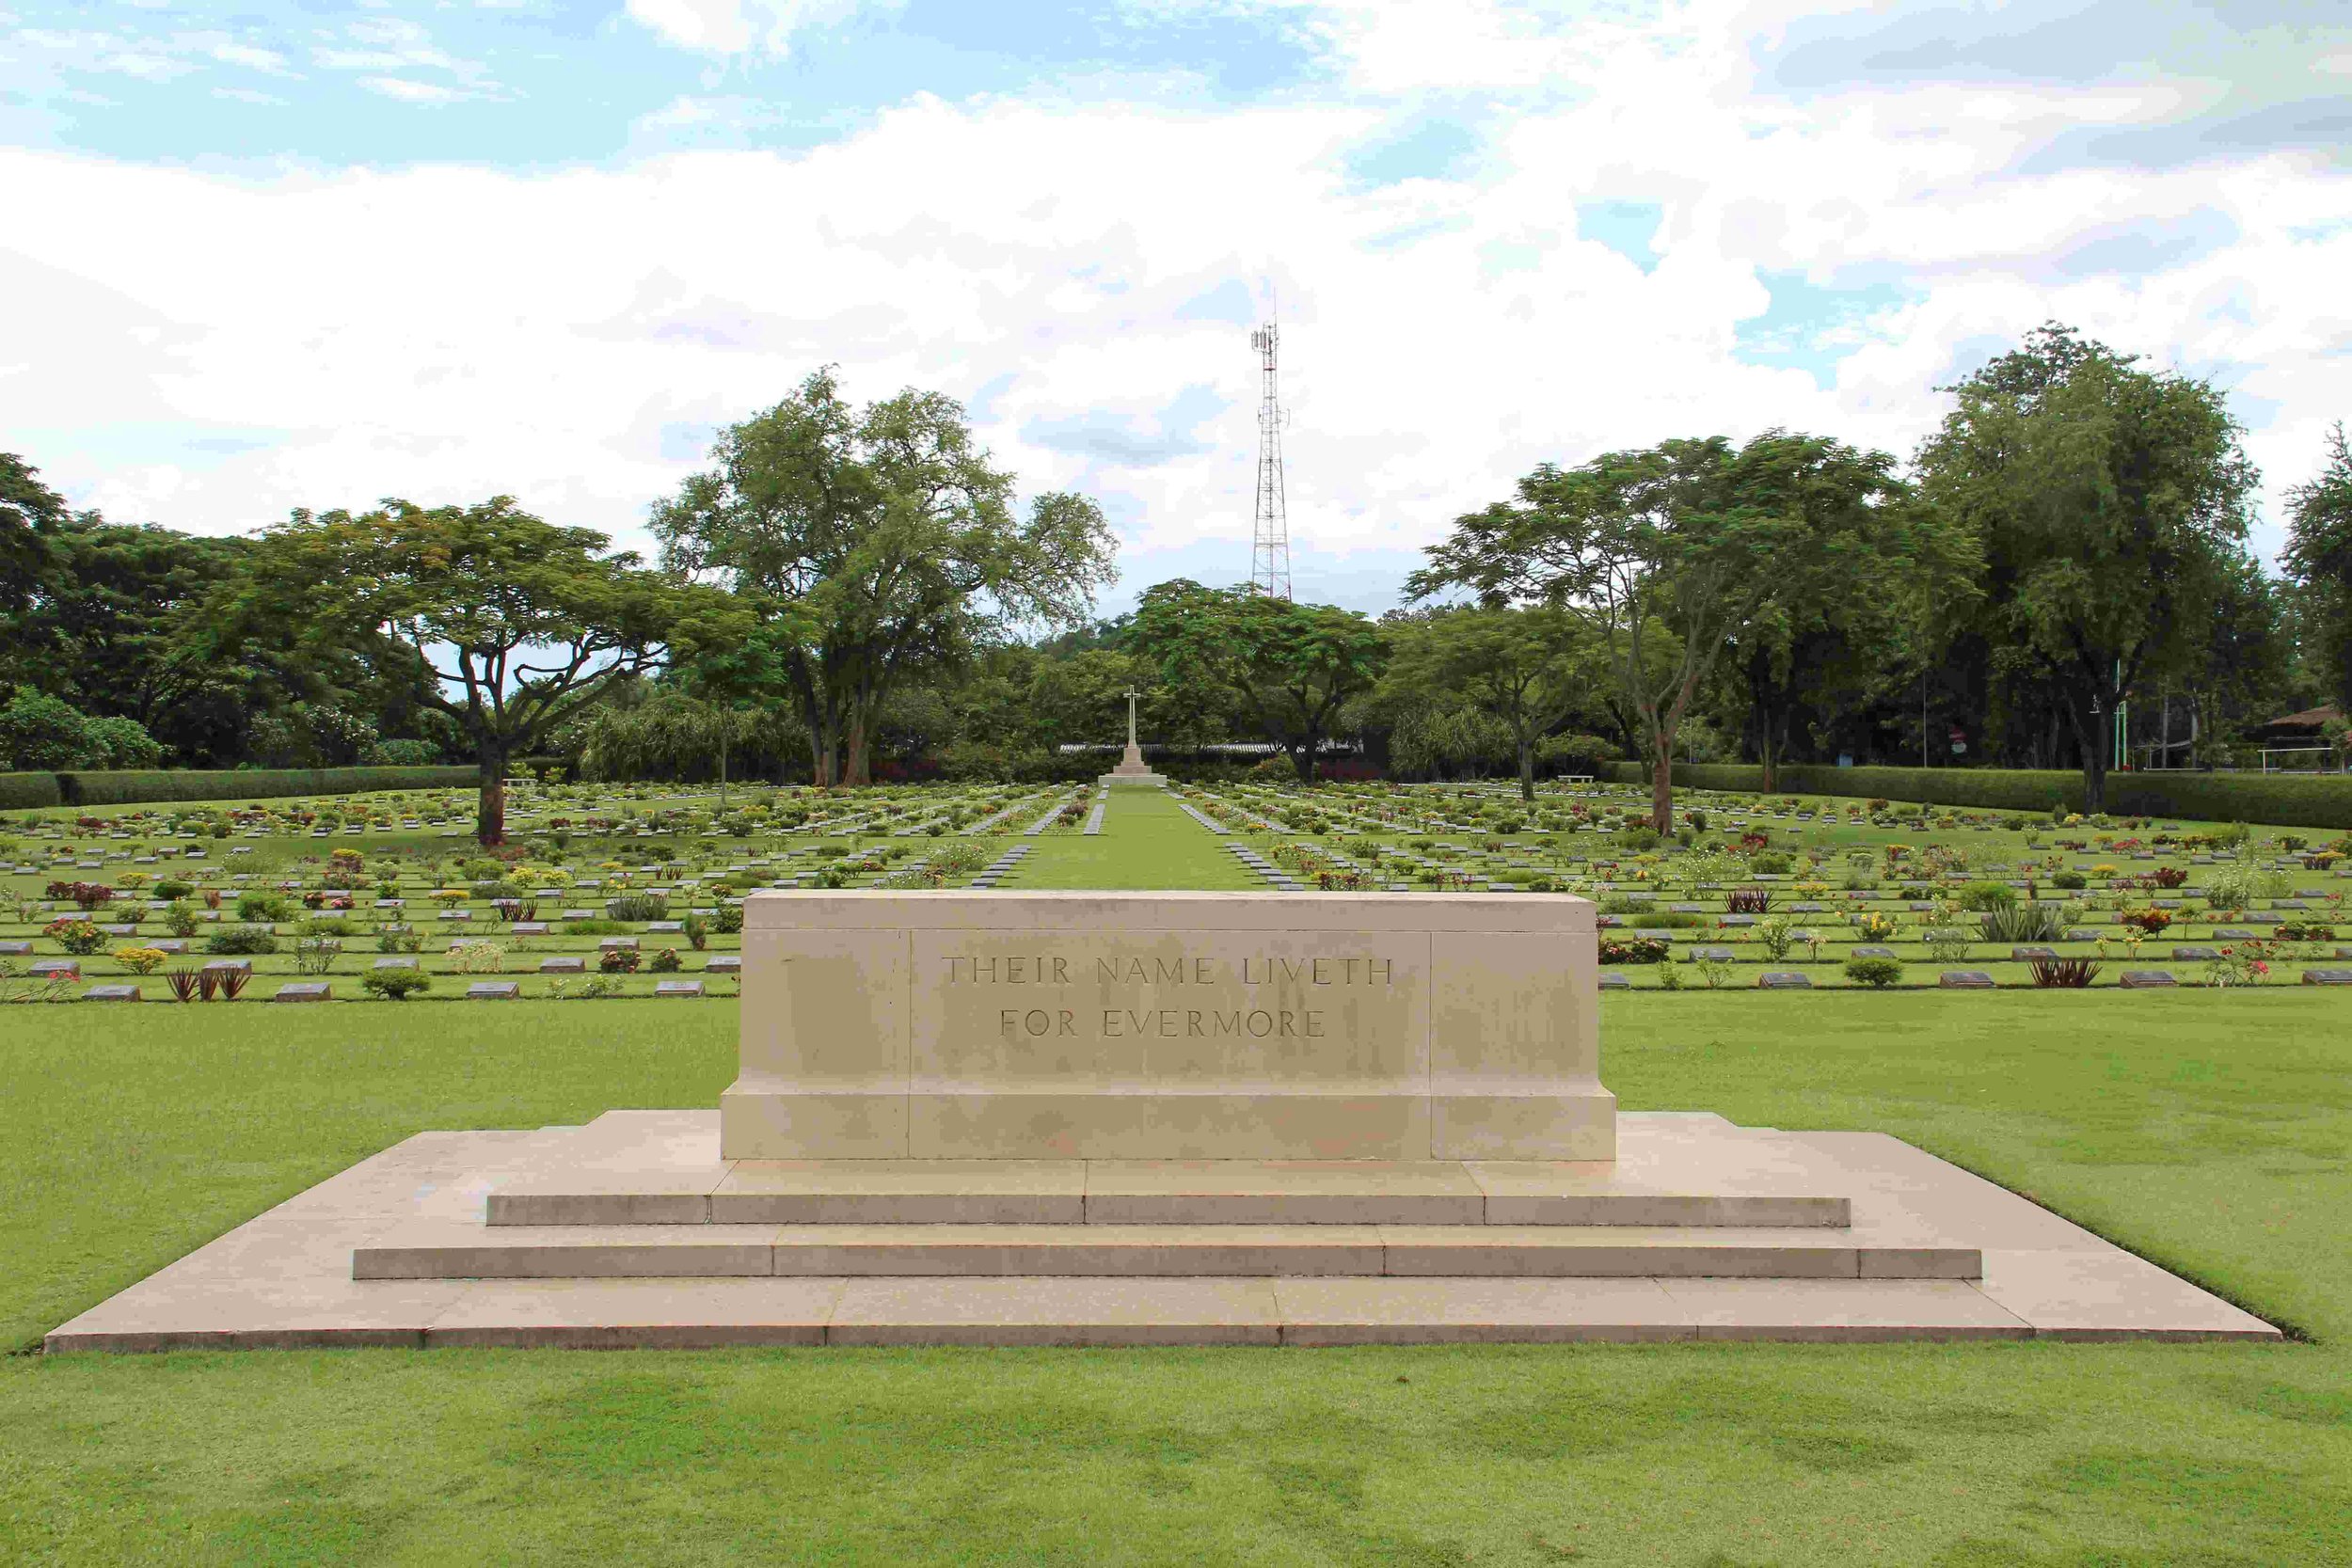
(2278, 800)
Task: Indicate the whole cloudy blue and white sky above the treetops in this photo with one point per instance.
(276, 255)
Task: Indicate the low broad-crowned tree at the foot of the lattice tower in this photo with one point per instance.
(1290, 666)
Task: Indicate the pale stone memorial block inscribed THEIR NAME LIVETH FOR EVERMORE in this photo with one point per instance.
(1168, 1026)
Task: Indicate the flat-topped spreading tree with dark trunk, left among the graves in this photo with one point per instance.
(512, 622)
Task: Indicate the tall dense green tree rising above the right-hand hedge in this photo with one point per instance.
(2111, 504)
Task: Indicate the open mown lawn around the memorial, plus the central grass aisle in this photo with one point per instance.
(2205, 1130)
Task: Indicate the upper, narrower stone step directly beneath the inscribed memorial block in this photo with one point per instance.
(1142, 1193)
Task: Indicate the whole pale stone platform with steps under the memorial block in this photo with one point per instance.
(634, 1231)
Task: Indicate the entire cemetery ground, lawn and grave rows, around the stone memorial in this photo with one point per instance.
(2205, 1125)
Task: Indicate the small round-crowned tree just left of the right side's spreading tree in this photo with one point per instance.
(1525, 669)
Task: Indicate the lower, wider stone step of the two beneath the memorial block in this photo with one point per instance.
(462, 1249)
